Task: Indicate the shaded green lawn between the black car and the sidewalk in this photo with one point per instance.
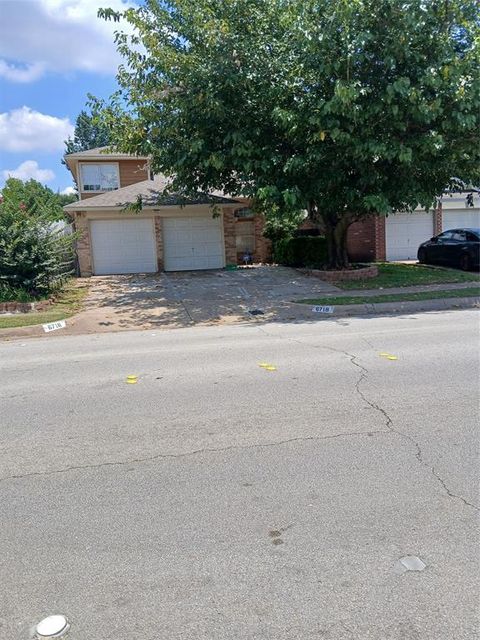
(406, 275)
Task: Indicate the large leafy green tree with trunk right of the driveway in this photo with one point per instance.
(347, 108)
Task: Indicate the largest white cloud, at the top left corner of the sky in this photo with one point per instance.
(59, 36)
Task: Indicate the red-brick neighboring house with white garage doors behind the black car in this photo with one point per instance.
(398, 236)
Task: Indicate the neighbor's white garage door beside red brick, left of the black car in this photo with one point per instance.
(405, 232)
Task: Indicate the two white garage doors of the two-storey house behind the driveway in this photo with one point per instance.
(129, 245)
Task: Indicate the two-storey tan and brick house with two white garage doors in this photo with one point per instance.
(168, 233)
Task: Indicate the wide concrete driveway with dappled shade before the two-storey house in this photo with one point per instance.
(198, 297)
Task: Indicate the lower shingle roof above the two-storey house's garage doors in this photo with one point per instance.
(151, 192)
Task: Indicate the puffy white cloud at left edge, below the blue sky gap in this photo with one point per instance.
(24, 130)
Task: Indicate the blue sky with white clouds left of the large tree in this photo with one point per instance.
(52, 53)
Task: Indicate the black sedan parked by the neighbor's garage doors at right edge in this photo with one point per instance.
(455, 247)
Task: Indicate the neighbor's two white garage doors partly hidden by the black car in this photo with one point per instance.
(404, 232)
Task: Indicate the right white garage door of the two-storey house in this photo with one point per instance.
(193, 243)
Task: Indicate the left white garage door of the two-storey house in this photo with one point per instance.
(123, 246)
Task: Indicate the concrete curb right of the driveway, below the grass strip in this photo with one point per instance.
(408, 306)
